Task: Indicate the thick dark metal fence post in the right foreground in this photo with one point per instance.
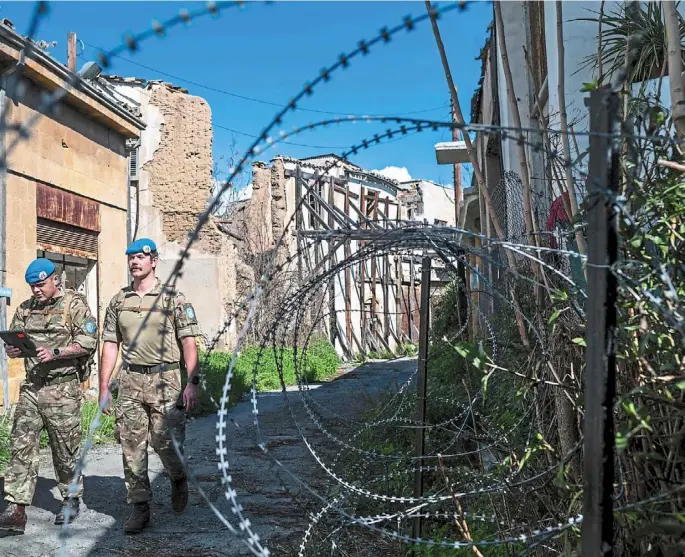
(600, 374)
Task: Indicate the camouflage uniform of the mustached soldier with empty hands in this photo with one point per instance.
(146, 405)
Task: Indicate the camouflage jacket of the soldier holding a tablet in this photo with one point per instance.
(57, 323)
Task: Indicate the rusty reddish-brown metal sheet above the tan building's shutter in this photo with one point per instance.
(67, 208)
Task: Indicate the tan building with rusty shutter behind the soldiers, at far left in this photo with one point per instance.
(63, 194)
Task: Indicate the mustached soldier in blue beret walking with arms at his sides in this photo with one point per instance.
(156, 329)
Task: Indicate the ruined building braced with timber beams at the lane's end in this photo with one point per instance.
(372, 306)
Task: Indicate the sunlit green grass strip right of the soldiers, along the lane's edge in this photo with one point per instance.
(317, 363)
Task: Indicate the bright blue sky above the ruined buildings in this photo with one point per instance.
(268, 51)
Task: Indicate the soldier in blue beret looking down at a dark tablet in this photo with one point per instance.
(64, 330)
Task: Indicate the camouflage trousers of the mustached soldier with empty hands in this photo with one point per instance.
(146, 413)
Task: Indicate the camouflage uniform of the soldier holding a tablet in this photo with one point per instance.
(50, 396)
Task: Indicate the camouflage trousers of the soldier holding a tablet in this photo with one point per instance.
(57, 409)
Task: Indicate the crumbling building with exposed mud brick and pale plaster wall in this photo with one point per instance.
(170, 186)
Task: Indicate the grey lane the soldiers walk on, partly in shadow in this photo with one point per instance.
(277, 508)
